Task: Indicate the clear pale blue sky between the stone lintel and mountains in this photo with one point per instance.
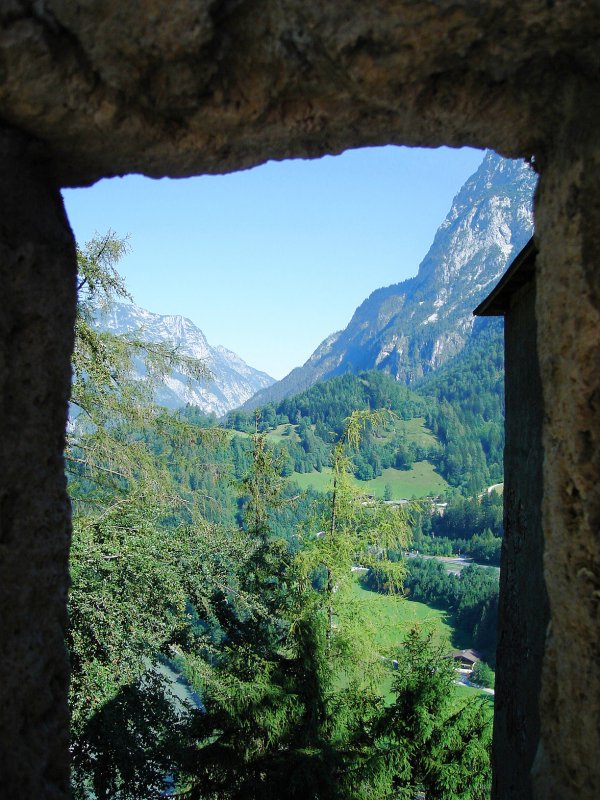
(269, 261)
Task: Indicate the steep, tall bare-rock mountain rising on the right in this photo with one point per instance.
(412, 328)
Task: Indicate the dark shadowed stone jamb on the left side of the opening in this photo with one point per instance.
(37, 304)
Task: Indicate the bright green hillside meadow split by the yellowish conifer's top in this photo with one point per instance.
(420, 481)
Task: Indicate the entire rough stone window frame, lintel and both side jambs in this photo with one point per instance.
(195, 86)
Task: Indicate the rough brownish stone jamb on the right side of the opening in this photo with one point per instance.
(568, 310)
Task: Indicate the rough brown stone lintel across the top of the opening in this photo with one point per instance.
(189, 86)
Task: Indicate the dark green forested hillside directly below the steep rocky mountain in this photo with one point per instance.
(453, 419)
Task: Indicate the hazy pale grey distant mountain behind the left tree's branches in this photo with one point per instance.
(234, 381)
